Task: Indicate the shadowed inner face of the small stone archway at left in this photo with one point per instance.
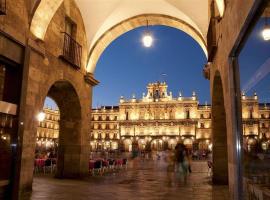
(69, 162)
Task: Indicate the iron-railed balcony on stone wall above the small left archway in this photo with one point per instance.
(72, 51)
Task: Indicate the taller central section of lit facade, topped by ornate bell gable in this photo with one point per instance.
(158, 121)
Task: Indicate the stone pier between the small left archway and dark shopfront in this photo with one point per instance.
(29, 107)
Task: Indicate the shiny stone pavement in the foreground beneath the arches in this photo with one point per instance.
(146, 180)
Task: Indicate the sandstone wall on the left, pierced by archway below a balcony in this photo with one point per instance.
(45, 74)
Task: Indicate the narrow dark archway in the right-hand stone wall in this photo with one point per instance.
(219, 133)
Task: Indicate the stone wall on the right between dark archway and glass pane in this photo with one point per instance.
(228, 30)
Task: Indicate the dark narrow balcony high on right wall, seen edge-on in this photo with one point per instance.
(211, 35)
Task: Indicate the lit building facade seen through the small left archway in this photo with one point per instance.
(48, 130)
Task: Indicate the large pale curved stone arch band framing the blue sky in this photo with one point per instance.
(134, 22)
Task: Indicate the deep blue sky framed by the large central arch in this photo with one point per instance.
(126, 67)
